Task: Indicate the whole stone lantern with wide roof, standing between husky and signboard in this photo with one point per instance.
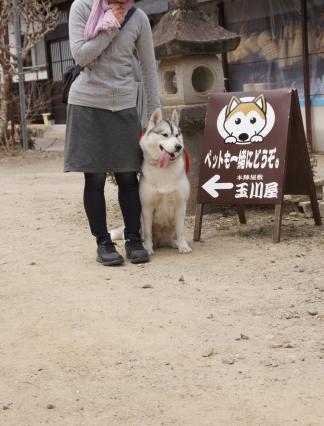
(187, 43)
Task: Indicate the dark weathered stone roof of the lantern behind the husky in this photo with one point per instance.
(186, 30)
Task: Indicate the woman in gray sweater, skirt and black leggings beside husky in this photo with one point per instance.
(103, 127)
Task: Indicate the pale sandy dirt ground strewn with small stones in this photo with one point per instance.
(232, 334)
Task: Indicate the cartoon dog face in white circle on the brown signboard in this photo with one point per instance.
(246, 120)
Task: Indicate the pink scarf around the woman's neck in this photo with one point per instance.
(102, 18)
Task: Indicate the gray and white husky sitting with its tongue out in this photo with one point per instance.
(164, 187)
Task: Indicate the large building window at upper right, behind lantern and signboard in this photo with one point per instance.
(270, 53)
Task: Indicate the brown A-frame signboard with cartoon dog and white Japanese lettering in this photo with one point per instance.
(254, 152)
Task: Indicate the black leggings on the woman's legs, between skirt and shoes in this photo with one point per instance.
(95, 204)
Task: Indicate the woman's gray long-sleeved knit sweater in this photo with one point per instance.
(107, 80)
